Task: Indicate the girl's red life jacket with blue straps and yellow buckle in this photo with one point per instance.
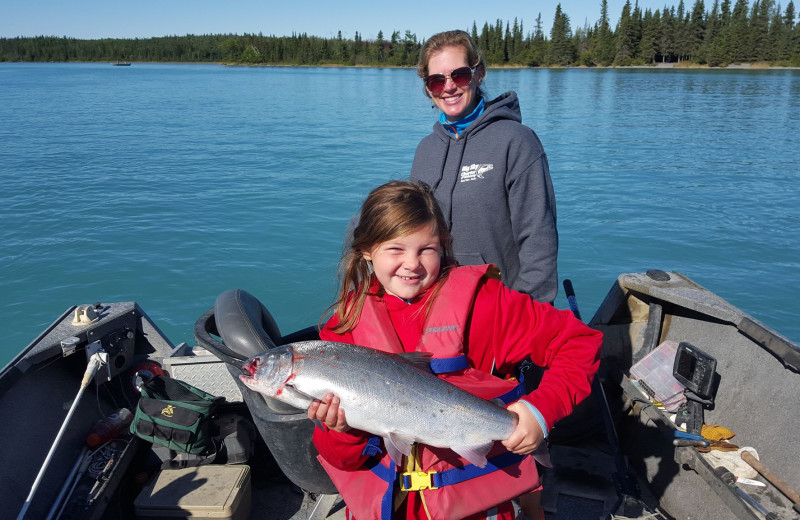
(450, 487)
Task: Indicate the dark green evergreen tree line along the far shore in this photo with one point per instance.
(726, 33)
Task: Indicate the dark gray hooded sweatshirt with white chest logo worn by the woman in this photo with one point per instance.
(493, 184)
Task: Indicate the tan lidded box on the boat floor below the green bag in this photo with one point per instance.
(209, 491)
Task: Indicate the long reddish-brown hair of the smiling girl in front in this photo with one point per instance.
(393, 210)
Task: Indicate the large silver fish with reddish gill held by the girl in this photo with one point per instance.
(388, 395)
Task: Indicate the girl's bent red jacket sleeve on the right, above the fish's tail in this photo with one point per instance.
(508, 326)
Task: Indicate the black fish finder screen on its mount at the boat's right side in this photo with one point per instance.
(695, 370)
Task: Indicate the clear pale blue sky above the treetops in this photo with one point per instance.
(147, 18)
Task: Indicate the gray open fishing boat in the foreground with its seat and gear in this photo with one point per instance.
(614, 457)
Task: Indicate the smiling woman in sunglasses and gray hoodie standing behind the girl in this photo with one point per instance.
(488, 171)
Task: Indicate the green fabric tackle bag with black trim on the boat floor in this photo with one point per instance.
(175, 414)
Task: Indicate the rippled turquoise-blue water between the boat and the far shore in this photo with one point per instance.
(168, 184)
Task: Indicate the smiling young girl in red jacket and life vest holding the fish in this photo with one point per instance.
(402, 292)
